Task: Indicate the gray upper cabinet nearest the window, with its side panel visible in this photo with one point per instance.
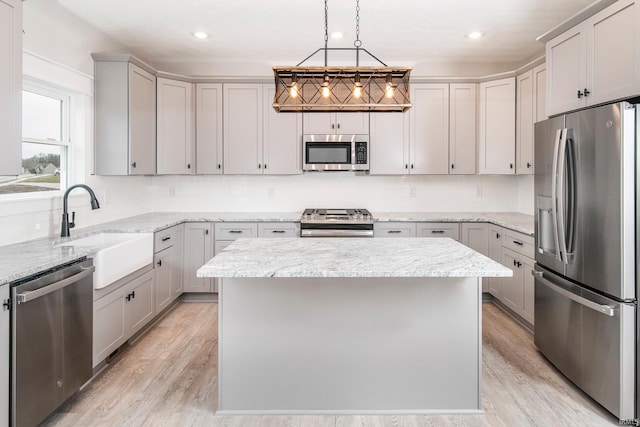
(125, 124)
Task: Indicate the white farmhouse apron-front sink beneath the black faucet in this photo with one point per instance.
(118, 254)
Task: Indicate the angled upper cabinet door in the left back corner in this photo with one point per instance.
(175, 136)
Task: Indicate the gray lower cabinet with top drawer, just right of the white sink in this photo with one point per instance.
(168, 265)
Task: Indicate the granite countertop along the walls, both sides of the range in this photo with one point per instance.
(24, 259)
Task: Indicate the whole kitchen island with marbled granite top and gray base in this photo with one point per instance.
(350, 325)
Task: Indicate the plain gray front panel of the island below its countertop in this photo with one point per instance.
(350, 345)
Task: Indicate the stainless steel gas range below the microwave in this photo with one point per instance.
(336, 223)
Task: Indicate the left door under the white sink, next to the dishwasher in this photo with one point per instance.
(109, 324)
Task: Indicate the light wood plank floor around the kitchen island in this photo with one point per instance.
(169, 378)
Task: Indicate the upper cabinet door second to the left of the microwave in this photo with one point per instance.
(242, 129)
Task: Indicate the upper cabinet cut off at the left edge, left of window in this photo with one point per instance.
(10, 88)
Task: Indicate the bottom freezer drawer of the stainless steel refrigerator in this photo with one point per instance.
(588, 337)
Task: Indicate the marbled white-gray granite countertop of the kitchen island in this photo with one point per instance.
(348, 257)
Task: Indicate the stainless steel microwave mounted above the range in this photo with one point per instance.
(335, 152)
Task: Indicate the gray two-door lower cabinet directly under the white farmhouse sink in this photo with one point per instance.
(121, 312)
